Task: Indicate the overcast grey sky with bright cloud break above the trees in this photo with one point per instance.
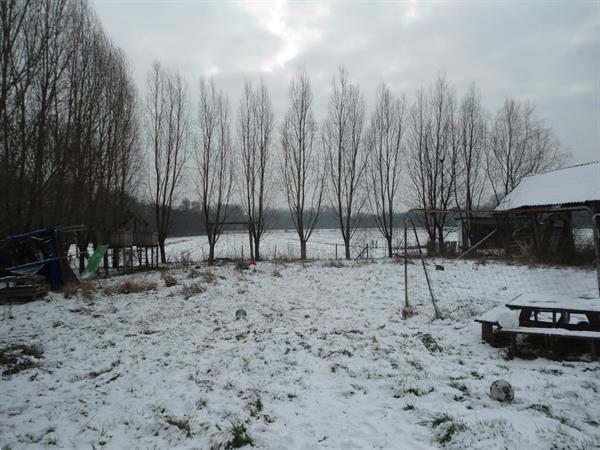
(548, 52)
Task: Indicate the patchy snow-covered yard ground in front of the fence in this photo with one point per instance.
(324, 359)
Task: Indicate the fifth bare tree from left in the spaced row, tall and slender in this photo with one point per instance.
(342, 137)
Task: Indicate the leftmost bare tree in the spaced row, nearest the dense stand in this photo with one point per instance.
(167, 116)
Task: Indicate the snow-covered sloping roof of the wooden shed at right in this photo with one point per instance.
(575, 184)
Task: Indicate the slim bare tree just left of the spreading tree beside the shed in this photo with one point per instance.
(471, 178)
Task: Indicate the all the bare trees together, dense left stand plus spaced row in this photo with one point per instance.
(79, 145)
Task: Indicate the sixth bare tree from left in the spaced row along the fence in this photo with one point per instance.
(385, 147)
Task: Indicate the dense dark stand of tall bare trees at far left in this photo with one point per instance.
(69, 137)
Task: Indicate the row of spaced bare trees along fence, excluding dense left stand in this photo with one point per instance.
(438, 153)
